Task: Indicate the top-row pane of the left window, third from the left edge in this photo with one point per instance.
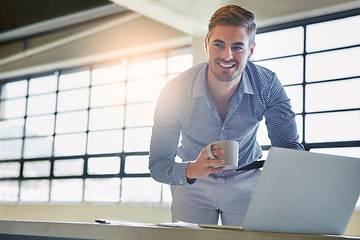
(74, 80)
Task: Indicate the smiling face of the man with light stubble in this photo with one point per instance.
(228, 50)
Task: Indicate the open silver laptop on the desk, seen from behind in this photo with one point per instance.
(303, 192)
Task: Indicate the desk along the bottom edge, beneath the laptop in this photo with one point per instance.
(67, 230)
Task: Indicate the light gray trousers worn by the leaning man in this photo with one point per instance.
(209, 198)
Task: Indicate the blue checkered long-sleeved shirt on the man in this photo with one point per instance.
(185, 111)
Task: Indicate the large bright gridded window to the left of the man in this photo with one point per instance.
(83, 135)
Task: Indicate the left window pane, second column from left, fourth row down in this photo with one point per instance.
(38, 147)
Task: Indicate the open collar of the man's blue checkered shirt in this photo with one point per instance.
(200, 85)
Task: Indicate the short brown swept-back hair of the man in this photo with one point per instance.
(236, 16)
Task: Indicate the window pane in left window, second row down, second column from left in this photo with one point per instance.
(41, 104)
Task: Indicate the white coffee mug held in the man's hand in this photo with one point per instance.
(231, 155)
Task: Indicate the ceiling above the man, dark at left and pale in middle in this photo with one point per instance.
(19, 18)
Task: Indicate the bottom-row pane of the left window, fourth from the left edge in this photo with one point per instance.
(102, 190)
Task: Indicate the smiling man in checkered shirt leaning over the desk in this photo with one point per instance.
(222, 99)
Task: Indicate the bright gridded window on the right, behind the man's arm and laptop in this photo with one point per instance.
(317, 61)
